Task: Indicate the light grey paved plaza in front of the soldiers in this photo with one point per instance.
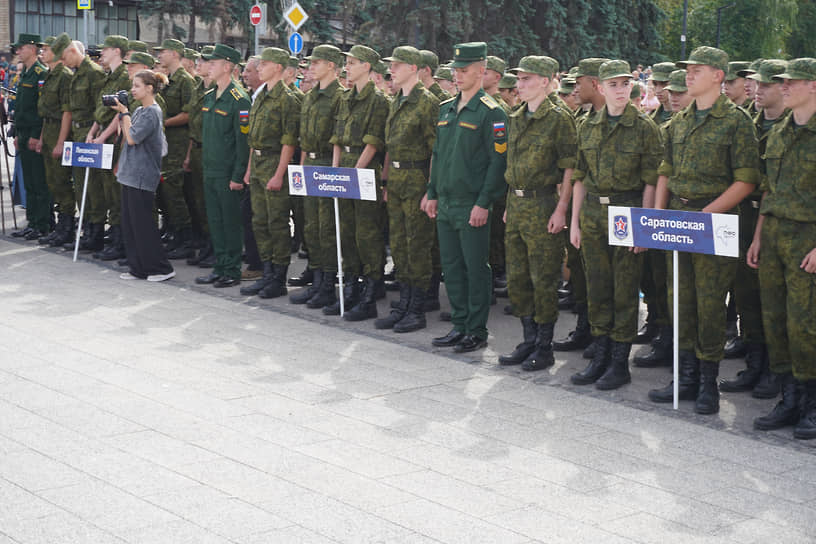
(172, 413)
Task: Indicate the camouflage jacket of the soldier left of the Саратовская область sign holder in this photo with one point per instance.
(620, 158)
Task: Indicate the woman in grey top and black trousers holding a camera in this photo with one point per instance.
(139, 172)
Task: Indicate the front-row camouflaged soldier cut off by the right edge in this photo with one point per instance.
(785, 251)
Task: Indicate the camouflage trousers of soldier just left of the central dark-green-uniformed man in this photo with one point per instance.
(411, 233)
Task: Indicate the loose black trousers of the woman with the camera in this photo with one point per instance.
(140, 233)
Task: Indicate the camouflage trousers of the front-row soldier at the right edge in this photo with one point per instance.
(788, 296)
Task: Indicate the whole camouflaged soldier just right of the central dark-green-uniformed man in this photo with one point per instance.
(541, 143)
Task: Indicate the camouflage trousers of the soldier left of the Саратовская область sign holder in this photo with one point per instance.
(613, 277)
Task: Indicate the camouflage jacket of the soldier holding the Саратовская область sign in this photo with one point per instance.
(703, 158)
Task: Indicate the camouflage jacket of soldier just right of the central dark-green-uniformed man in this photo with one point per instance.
(540, 147)
